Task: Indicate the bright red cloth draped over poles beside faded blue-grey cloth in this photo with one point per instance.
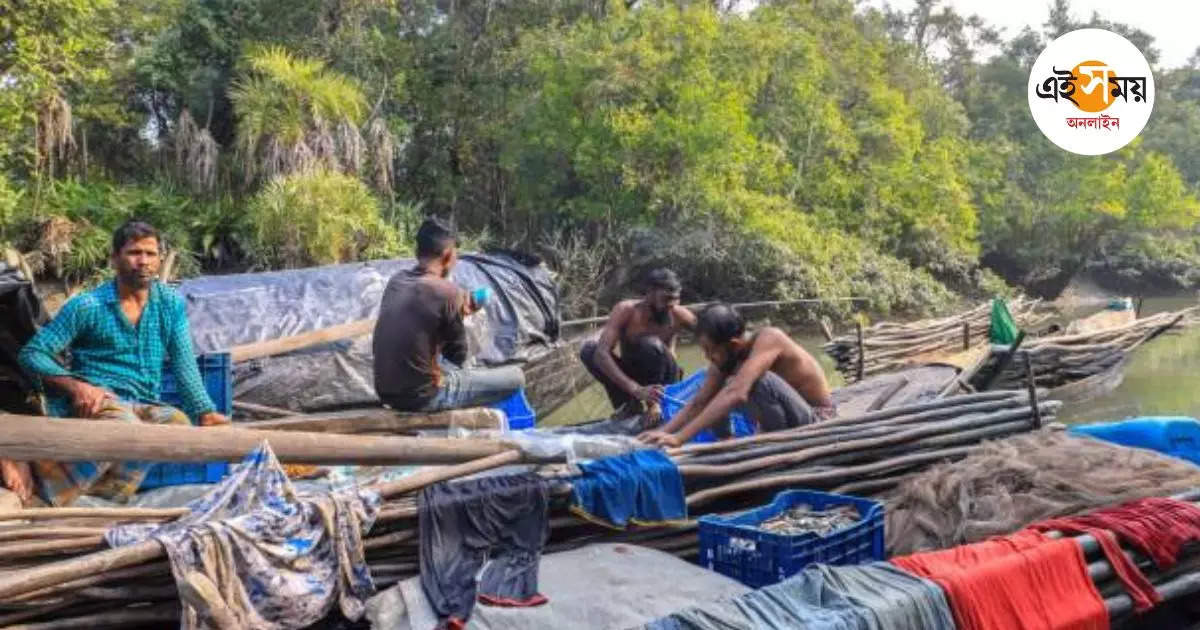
(1021, 583)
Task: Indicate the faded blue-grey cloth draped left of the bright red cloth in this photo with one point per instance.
(874, 597)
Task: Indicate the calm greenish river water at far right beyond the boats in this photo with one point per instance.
(1160, 379)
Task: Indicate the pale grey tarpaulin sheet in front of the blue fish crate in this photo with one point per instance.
(599, 586)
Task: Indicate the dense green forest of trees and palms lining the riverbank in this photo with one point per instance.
(823, 148)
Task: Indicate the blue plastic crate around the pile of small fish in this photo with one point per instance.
(735, 547)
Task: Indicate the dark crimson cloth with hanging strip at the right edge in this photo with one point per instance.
(1159, 527)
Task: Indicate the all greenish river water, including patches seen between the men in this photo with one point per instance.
(1162, 377)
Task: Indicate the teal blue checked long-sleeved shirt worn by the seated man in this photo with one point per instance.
(109, 352)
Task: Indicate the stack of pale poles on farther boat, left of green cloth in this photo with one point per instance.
(890, 346)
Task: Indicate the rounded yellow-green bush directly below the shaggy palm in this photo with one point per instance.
(322, 218)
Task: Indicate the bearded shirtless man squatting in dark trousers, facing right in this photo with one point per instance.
(646, 333)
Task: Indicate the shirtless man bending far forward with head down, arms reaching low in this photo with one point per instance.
(766, 375)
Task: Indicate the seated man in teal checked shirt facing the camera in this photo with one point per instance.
(119, 335)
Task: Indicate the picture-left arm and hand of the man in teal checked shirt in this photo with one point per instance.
(39, 358)
